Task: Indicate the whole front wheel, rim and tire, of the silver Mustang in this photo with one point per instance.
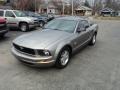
(63, 58)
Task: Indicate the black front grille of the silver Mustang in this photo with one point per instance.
(24, 49)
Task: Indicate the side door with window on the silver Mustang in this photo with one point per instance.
(82, 33)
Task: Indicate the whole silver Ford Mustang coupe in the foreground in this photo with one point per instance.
(55, 44)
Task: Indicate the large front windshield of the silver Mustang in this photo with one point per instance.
(62, 25)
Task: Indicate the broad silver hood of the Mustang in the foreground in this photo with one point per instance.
(41, 39)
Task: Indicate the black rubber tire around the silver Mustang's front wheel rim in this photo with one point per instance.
(59, 63)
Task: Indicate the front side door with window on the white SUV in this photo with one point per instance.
(11, 19)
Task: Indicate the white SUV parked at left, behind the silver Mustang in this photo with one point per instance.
(18, 19)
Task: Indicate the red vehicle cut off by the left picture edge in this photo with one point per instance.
(3, 27)
